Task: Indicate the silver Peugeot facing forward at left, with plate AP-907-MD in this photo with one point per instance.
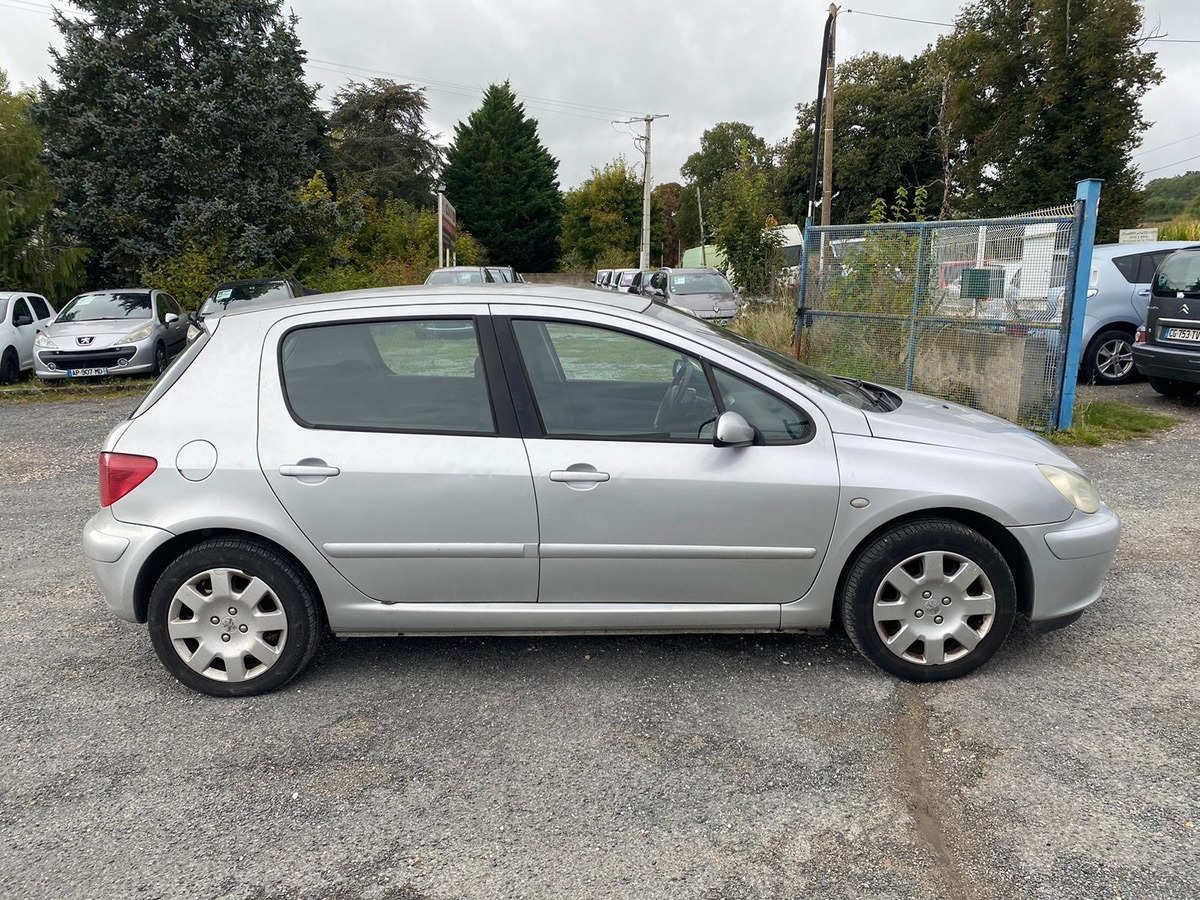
(129, 332)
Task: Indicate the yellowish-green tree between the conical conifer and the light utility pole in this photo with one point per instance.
(603, 223)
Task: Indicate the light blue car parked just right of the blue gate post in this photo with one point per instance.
(1118, 297)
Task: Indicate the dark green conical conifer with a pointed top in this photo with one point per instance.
(505, 184)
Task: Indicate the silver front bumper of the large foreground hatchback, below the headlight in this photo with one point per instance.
(1070, 561)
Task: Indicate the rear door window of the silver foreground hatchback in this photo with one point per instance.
(409, 376)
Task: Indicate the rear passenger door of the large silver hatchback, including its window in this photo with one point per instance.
(385, 437)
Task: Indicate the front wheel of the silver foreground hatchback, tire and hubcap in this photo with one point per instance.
(871, 579)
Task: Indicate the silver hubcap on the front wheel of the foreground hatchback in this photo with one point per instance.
(934, 608)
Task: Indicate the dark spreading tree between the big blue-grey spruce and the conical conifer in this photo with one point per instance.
(380, 142)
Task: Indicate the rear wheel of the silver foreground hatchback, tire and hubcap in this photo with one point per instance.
(290, 592)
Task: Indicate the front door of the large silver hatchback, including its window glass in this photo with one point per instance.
(635, 503)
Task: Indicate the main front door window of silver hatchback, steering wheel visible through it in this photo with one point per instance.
(595, 382)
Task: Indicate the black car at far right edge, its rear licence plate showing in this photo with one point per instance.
(1168, 346)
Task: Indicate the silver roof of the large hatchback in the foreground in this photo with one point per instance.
(417, 295)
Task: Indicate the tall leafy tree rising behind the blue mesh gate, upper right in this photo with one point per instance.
(1042, 94)
